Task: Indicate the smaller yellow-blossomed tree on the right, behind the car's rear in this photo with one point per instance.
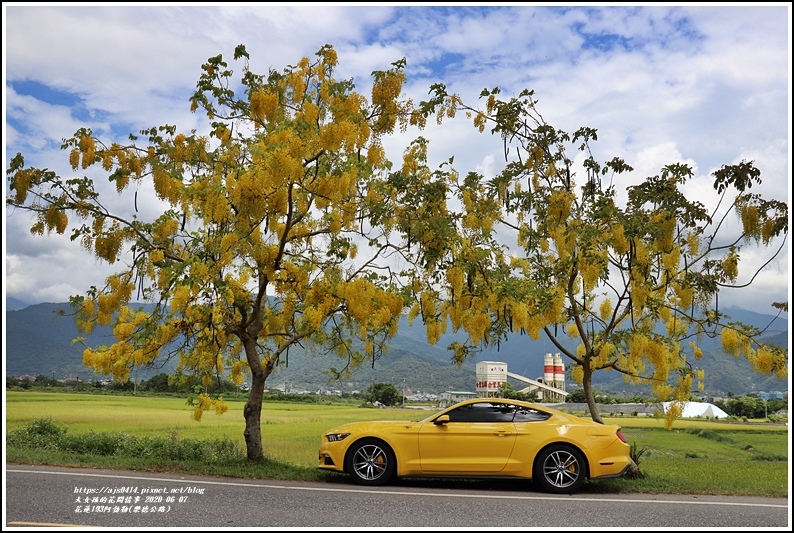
(632, 273)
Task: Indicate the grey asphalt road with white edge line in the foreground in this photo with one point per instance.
(44, 496)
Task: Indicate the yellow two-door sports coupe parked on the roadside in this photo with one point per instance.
(478, 438)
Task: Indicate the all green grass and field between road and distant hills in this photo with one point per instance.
(158, 434)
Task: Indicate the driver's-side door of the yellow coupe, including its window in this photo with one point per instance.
(478, 438)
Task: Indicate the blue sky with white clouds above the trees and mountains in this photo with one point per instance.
(708, 85)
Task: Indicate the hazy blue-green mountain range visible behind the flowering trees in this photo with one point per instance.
(38, 341)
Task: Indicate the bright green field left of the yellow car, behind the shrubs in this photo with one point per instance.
(290, 432)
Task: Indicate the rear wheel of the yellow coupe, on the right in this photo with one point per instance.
(560, 469)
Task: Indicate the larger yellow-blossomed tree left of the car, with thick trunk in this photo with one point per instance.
(264, 241)
